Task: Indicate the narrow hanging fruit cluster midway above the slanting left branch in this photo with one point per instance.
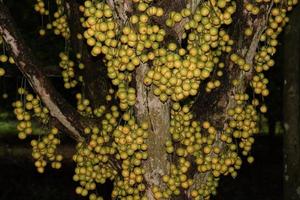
(68, 72)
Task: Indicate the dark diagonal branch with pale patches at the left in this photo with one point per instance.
(28, 64)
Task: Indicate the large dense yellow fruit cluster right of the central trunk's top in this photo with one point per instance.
(177, 72)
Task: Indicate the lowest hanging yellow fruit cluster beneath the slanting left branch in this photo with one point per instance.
(46, 150)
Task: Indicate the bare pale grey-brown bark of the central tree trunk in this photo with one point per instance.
(150, 109)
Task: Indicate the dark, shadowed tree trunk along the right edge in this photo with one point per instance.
(291, 144)
